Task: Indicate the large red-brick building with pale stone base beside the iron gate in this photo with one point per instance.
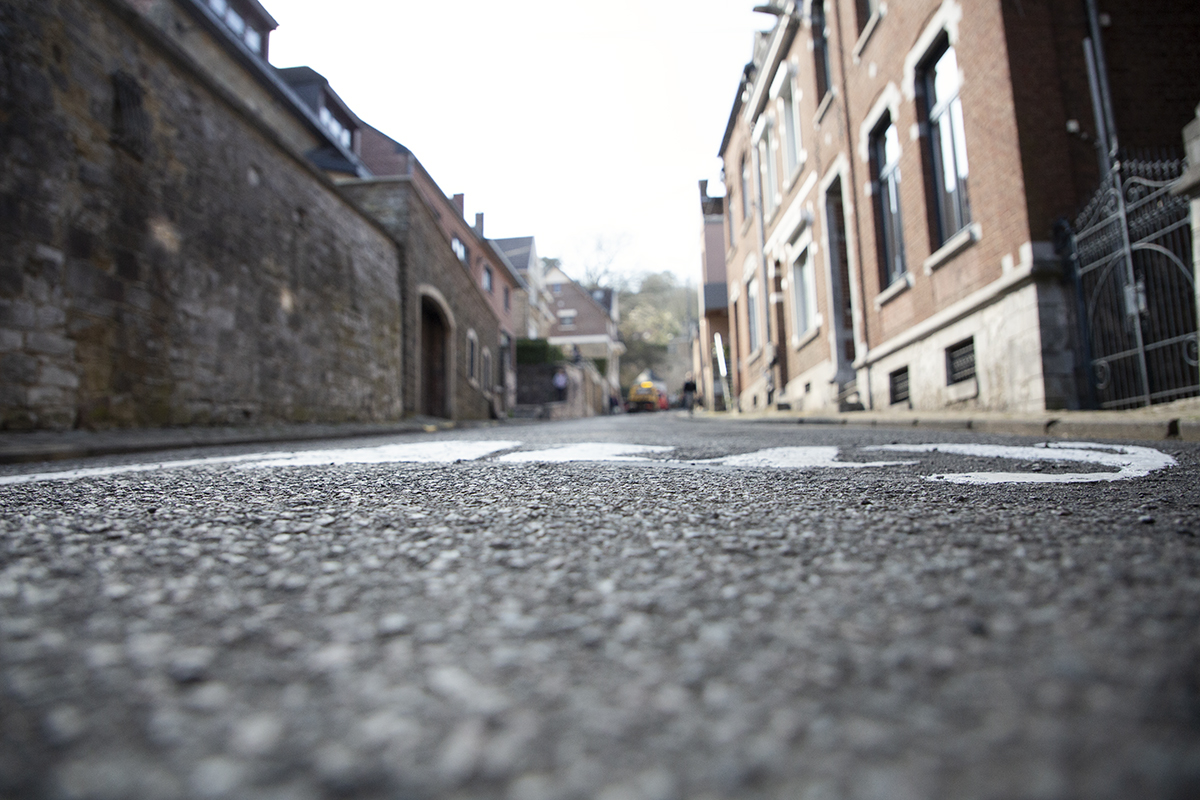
(895, 173)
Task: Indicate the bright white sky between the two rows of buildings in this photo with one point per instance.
(575, 122)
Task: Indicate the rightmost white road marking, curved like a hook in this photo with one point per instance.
(1131, 461)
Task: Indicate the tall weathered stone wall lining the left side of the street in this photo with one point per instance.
(164, 260)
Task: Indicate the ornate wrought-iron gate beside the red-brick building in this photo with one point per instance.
(1137, 288)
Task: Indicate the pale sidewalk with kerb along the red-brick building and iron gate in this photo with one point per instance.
(1179, 422)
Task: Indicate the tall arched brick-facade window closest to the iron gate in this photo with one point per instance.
(947, 143)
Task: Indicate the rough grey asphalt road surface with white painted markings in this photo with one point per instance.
(644, 607)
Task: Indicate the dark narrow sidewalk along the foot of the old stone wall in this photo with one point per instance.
(52, 446)
